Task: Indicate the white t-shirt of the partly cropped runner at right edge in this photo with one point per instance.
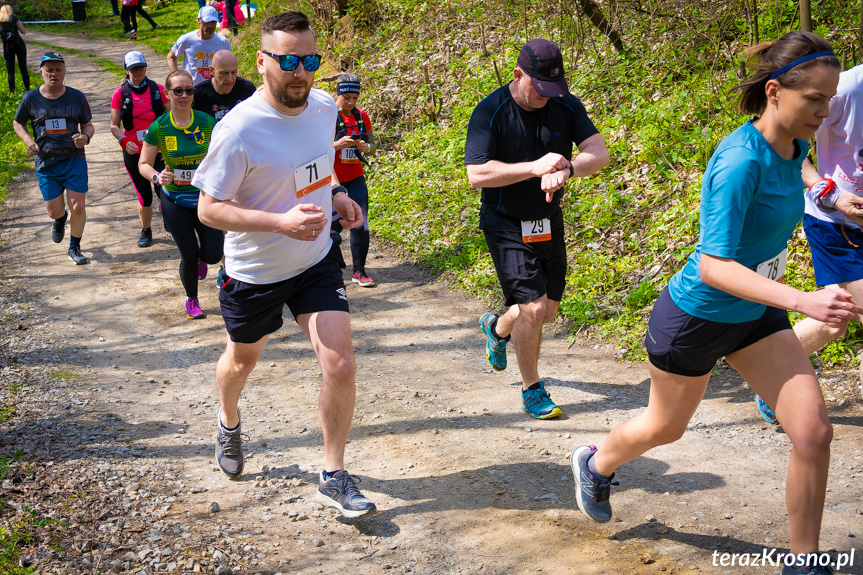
(840, 144)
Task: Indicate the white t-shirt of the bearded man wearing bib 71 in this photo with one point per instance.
(255, 158)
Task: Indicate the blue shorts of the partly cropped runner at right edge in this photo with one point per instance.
(835, 260)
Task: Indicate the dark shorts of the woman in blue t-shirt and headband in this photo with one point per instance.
(683, 344)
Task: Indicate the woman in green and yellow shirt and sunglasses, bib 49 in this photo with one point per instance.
(183, 136)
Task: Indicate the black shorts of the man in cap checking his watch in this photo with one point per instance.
(526, 272)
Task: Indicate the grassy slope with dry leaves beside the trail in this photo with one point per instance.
(662, 107)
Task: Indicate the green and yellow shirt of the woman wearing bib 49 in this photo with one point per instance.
(183, 148)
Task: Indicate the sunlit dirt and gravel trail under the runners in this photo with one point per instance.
(465, 481)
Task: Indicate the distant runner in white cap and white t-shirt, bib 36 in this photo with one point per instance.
(198, 46)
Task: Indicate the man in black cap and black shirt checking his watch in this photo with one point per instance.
(519, 151)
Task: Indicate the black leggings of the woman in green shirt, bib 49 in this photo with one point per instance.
(187, 230)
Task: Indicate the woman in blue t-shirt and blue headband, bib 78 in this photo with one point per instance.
(729, 299)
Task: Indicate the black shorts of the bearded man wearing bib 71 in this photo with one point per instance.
(251, 311)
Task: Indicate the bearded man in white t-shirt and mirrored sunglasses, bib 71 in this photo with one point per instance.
(268, 180)
